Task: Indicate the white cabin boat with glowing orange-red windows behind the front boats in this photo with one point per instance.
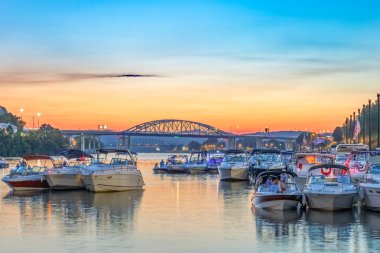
(304, 161)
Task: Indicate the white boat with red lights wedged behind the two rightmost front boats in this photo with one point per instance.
(356, 162)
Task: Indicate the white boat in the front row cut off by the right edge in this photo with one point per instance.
(369, 190)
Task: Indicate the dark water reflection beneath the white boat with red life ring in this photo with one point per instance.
(338, 218)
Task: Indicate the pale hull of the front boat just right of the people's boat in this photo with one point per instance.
(330, 201)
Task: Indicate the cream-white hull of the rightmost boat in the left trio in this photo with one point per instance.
(113, 182)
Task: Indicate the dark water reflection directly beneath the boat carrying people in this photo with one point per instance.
(278, 216)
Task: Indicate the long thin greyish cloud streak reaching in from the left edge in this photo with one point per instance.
(22, 78)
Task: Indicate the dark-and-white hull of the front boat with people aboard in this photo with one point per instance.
(277, 201)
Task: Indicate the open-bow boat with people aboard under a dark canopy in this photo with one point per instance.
(277, 190)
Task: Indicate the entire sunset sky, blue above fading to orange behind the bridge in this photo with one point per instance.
(239, 66)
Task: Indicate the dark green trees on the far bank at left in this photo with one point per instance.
(46, 140)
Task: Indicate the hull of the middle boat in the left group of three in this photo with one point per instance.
(65, 181)
